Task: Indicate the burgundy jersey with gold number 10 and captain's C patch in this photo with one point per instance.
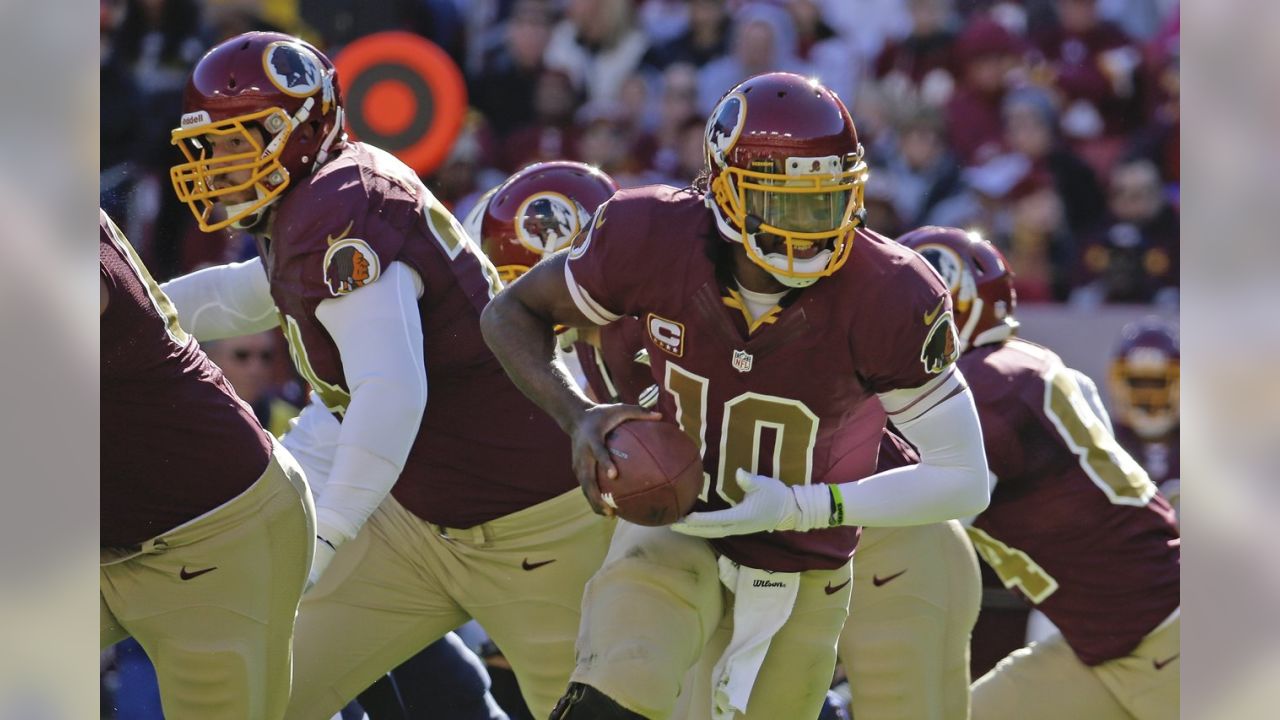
(790, 395)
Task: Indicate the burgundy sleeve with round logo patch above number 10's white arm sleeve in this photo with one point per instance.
(909, 335)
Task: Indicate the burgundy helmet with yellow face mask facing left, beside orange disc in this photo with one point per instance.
(275, 83)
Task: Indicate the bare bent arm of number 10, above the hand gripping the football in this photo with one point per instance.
(519, 326)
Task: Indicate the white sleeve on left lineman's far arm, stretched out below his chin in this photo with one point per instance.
(225, 302)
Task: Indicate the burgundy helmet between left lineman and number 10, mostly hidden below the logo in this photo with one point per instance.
(536, 213)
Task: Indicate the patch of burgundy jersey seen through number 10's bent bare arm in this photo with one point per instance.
(619, 372)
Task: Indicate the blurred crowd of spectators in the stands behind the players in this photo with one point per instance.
(1052, 126)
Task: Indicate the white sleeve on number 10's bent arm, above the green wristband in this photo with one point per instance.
(952, 481)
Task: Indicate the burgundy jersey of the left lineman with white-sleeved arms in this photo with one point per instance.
(483, 450)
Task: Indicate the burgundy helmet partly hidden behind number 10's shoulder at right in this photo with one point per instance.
(979, 277)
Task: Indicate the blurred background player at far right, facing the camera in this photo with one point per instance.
(1145, 393)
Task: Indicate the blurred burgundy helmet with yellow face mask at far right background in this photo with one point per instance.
(1145, 373)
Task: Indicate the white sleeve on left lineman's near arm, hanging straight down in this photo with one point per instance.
(380, 335)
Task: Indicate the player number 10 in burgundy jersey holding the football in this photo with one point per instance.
(774, 323)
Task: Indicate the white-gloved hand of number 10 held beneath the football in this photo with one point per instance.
(767, 507)
